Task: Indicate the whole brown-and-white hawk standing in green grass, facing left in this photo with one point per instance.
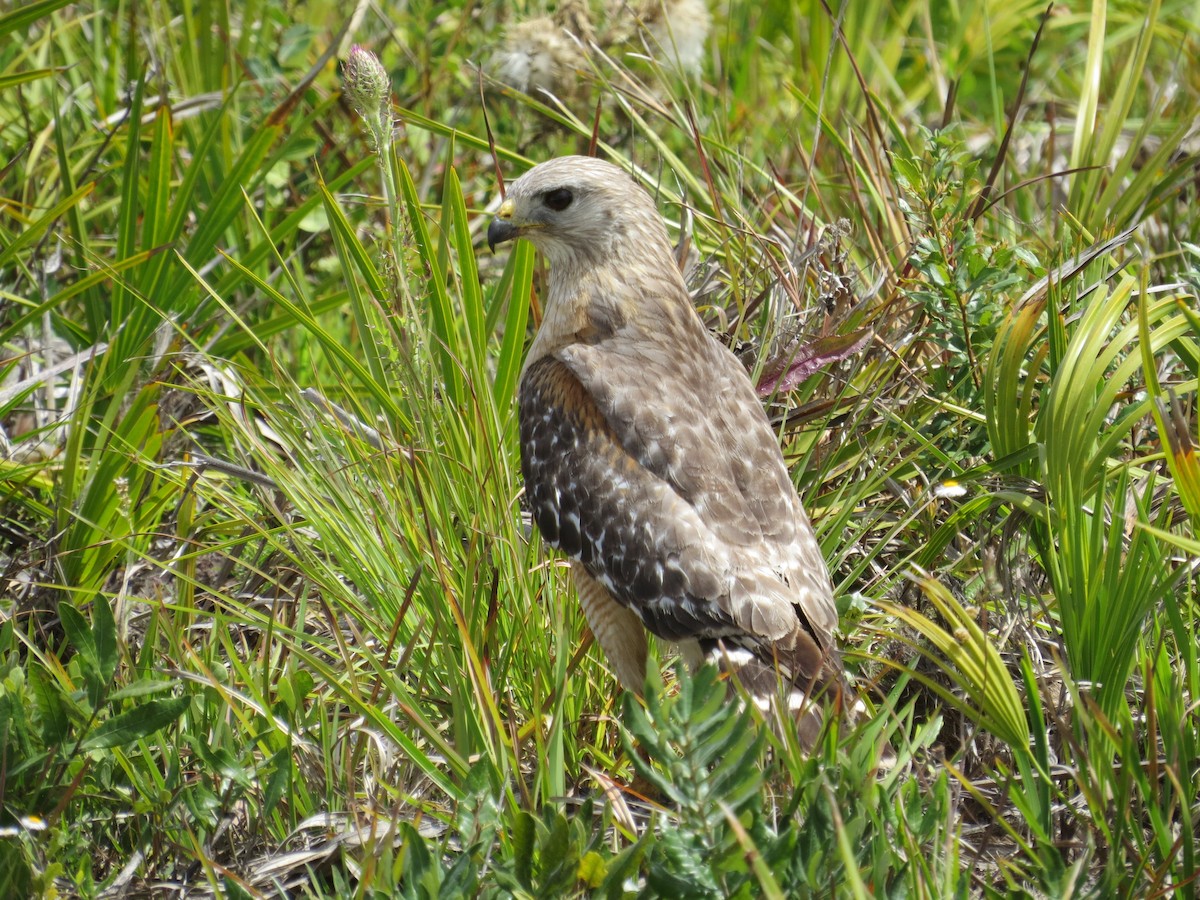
(649, 459)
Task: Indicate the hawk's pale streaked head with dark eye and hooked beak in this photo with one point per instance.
(580, 211)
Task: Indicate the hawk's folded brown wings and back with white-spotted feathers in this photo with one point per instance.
(658, 471)
